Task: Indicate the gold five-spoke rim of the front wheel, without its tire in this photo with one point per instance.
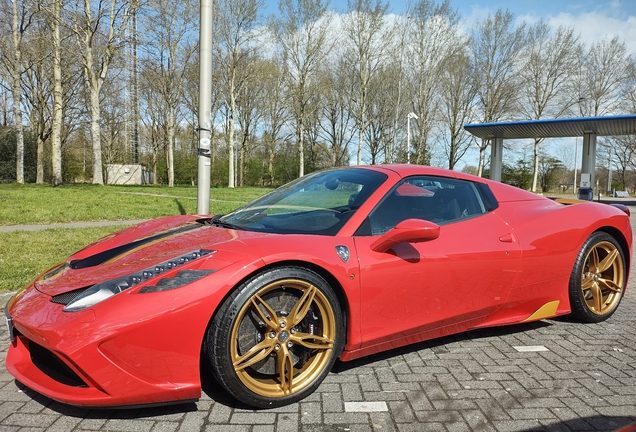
(282, 338)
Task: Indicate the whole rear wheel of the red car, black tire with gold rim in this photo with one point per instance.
(598, 279)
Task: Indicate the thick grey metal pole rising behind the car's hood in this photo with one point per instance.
(205, 108)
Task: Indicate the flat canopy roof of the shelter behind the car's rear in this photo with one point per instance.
(556, 128)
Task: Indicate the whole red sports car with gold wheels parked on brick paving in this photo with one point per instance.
(337, 264)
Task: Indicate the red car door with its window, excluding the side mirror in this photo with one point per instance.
(416, 291)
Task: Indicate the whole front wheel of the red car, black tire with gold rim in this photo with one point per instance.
(246, 348)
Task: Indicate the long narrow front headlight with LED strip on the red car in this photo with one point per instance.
(103, 290)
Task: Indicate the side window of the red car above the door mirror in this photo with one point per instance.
(437, 199)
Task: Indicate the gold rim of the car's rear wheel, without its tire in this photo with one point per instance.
(602, 278)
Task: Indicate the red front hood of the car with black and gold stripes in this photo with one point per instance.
(135, 249)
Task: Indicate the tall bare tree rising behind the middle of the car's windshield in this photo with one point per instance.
(302, 30)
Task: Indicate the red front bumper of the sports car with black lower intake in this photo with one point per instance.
(111, 355)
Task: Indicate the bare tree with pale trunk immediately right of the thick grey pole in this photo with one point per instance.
(235, 27)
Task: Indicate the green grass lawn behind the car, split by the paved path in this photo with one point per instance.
(24, 254)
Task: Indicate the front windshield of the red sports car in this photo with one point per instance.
(318, 203)
